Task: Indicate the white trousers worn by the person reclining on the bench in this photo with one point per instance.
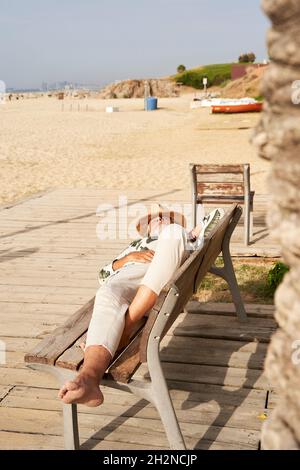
(114, 297)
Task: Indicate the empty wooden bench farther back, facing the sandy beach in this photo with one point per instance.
(223, 184)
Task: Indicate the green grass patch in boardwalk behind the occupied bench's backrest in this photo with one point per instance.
(257, 282)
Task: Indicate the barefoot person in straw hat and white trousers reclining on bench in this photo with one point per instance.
(130, 286)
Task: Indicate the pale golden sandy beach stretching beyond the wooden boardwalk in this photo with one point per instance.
(43, 146)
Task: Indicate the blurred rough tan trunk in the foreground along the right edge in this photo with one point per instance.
(278, 139)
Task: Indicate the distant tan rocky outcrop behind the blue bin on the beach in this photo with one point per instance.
(161, 88)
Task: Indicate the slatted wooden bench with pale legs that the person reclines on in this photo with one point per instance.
(60, 355)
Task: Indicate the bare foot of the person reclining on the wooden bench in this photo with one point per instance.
(83, 389)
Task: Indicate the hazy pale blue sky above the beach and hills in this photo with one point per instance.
(98, 41)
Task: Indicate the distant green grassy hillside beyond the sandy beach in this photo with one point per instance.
(215, 74)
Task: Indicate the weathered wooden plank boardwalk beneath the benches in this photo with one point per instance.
(50, 255)
